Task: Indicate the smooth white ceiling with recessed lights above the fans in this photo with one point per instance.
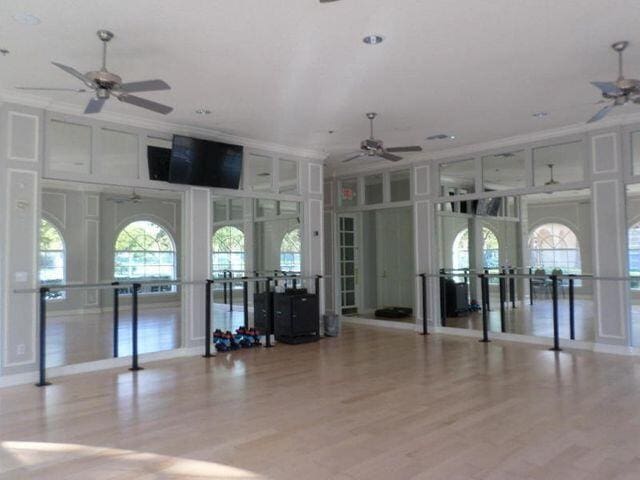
(287, 71)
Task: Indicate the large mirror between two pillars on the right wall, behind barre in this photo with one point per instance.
(539, 234)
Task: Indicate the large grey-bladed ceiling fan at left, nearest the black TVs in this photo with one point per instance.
(105, 84)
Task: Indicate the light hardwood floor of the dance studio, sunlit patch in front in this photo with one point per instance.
(371, 404)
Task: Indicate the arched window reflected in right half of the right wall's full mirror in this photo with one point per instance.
(555, 246)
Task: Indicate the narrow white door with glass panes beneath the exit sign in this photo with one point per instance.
(348, 263)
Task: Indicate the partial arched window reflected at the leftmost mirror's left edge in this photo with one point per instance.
(52, 258)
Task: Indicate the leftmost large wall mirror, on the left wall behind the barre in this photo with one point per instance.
(99, 234)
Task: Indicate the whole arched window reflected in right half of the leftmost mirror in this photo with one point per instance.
(145, 251)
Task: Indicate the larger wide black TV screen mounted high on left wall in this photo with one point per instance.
(205, 163)
